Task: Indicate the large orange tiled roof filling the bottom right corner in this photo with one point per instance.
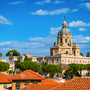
(75, 84)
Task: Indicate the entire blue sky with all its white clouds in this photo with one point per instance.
(31, 26)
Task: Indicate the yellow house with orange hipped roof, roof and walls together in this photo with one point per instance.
(25, 78)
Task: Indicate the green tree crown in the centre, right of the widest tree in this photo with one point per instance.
(51, 69)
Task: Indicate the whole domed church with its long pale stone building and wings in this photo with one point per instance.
(62, 53)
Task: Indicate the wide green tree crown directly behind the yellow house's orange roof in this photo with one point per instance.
(29, 65)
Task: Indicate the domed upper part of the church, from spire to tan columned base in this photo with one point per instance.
(64, 43)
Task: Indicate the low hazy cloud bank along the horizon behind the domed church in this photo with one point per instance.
(40, 45)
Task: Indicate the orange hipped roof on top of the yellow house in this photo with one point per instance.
(27, 75)
